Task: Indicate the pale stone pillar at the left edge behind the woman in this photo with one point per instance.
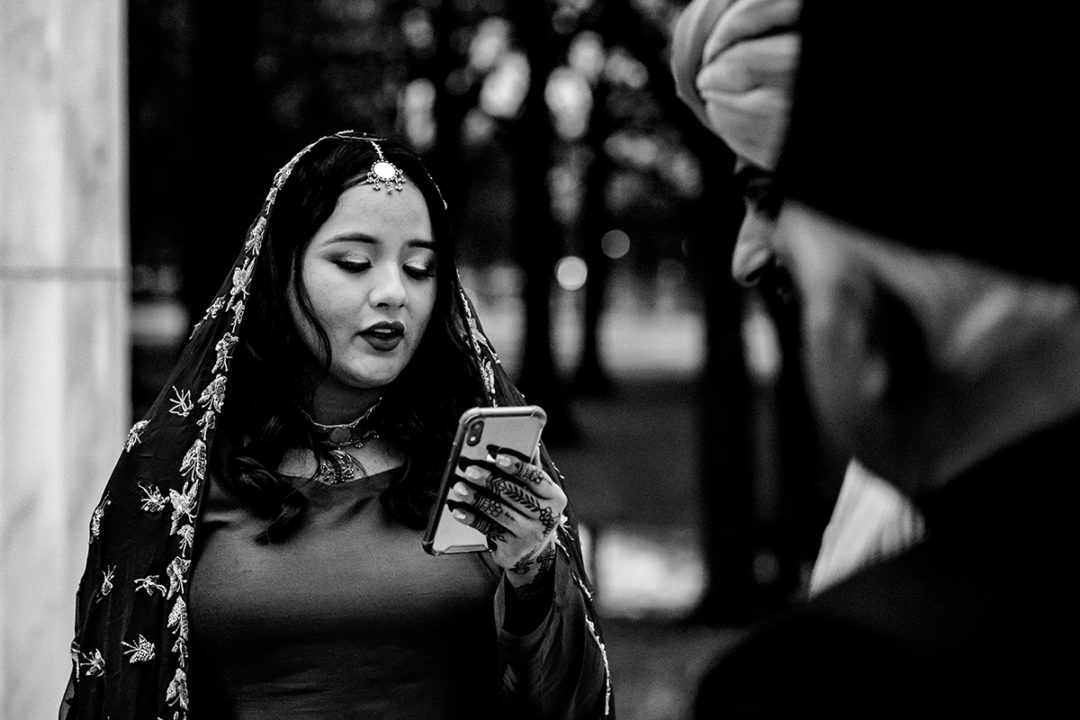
(64, 318)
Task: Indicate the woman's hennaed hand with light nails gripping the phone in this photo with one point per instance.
(518, 506)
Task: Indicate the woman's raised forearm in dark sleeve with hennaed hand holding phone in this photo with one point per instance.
(555, 664)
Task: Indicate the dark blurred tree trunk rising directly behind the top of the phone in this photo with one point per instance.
(536, 233)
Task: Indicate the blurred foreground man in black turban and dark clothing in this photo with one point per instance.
(941, 314)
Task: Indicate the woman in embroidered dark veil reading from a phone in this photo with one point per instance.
(263, 558)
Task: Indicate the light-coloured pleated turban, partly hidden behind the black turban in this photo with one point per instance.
(734, 63)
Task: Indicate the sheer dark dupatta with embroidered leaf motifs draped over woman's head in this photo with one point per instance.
(130, 654)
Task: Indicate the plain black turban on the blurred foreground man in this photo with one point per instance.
(948, 127)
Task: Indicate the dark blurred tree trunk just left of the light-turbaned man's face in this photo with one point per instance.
(730, 518)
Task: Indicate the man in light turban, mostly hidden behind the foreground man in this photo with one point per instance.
(735, 64)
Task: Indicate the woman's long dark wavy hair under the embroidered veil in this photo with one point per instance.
(272, 381)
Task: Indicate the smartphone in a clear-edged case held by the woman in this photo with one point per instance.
(480, 429)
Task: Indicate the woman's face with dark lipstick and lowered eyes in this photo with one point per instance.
(370, 273)
